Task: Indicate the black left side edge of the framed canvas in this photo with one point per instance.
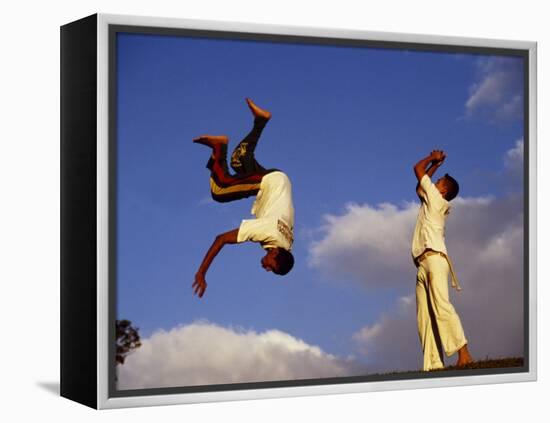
(78, 211)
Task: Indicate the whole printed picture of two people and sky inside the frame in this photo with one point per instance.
(291, 211)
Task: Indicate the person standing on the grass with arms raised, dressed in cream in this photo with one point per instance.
(439, 326)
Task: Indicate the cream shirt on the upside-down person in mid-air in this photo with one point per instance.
(274, 211)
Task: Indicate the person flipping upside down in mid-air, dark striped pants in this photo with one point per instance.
(273, 207)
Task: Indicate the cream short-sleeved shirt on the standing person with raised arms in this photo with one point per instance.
(430, 224)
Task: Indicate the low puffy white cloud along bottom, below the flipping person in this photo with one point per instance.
(203, 353)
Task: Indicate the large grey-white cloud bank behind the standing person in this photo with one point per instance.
(371, 245)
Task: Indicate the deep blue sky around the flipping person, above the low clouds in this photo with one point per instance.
(348, 125)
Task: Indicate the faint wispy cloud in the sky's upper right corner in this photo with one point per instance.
(498, 92)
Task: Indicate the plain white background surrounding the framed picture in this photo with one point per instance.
(29, 209)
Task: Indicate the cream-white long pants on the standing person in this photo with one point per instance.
(439, 326)
